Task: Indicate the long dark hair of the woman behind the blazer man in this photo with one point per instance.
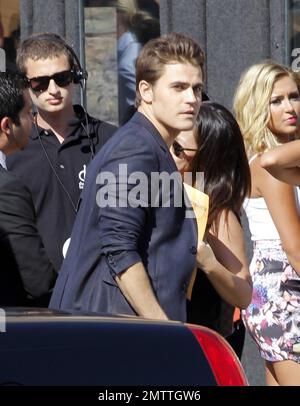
(221, 156)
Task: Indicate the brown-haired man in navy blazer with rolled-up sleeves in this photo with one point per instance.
(133, 247)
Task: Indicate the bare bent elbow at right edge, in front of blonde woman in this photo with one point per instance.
(283, 162)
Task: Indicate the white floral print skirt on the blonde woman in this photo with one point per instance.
(273, 317)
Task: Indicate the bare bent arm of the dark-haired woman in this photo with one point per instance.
(225, 263)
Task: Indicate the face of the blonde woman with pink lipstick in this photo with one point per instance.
(284, 109)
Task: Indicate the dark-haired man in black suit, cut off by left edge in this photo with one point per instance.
(26, 274)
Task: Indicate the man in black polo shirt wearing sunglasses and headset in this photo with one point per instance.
(62, 141)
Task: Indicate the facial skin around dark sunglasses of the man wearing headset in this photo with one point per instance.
(54, 98)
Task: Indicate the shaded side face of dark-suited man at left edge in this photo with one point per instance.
(19, 134)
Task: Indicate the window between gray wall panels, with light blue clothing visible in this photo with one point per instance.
(115, 31)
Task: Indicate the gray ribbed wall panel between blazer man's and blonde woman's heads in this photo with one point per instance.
(233, 33)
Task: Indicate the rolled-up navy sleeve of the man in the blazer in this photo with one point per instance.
(121, 228)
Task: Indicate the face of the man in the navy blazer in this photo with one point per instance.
(176, 98)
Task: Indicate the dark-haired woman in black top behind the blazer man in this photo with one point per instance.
(216, 148)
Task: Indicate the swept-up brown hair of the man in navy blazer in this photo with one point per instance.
(158, 52)
